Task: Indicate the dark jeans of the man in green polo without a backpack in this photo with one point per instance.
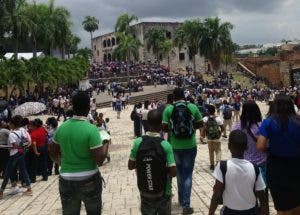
(89, 191)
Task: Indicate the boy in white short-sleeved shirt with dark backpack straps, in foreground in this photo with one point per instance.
(238, 182)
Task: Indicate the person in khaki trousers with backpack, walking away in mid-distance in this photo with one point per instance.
(213, 127)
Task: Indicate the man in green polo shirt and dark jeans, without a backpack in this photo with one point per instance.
(78, 148)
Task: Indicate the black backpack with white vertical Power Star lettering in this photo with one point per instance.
(151, 166)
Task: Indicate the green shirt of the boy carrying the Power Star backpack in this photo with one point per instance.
(169, 156)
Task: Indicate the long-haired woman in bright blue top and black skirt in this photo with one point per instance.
(280, 136)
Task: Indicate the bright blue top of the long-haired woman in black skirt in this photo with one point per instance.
(283, 143)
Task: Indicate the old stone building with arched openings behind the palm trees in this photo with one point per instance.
(104, 45)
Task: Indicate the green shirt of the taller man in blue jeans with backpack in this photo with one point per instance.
(181, 143)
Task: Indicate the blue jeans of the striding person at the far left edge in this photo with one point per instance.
(14, 161)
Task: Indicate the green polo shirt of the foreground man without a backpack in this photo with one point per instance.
(76, 138)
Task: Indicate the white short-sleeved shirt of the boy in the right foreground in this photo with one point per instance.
(239, 184)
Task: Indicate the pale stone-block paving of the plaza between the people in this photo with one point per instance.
(120, 194)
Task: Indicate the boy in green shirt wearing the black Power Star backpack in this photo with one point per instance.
(153, 159)
